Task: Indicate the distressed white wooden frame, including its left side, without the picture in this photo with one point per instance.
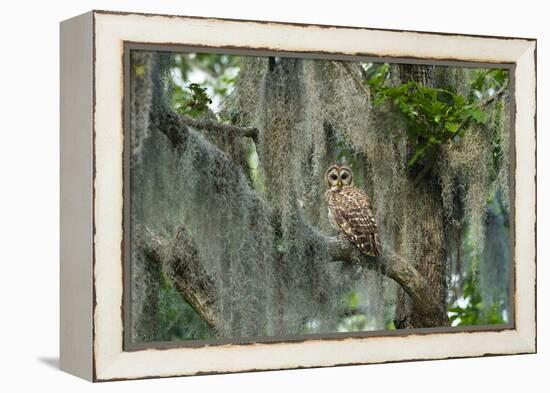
(92, 195)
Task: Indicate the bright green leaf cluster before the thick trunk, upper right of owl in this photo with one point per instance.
(434, 116)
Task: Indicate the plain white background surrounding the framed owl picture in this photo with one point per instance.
(29, 196)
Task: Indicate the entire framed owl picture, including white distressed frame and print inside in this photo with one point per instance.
(246, 195)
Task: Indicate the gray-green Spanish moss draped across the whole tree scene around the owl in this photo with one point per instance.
(246, 225)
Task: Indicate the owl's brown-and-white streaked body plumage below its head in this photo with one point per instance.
(350, 210)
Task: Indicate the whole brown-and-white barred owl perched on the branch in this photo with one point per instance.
(350, 210)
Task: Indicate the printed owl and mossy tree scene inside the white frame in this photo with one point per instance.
(275, 197)
